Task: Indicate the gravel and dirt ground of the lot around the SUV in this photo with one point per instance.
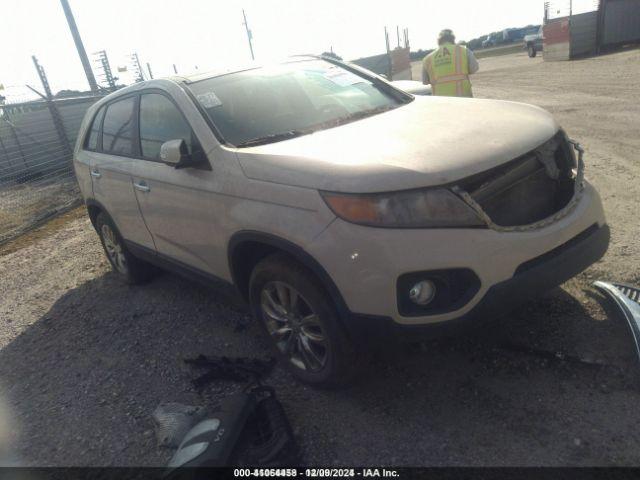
(84, 360)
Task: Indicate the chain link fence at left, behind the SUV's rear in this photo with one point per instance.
(36, 170)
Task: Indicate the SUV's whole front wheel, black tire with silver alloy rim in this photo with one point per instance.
(307, 337)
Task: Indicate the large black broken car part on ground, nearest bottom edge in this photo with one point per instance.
(251, 429)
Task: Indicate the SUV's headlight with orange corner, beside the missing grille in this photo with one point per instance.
(426, 208)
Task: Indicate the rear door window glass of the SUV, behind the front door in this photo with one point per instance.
(117, 131)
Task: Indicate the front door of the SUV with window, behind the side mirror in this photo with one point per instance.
(178, 205)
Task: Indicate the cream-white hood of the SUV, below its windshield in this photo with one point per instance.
(430, 141)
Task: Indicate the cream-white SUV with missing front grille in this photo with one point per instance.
(344, 210)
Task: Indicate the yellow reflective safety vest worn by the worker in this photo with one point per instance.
(448, 69)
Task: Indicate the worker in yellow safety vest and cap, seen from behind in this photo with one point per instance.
(448, 67)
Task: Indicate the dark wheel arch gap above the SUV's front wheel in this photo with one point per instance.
(247, 248)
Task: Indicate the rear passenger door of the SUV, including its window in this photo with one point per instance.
(111, 170)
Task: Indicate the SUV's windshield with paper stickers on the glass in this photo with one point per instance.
(270, 104)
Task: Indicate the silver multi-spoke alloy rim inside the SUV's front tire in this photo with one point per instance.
(294, 326)
